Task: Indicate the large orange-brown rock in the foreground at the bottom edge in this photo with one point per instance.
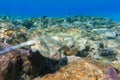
(79, 70)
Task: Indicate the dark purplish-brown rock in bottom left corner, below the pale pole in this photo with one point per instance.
(10, 66)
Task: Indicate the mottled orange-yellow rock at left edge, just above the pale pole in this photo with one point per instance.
(14, 36)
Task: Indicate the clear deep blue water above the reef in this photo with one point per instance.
(53, 8)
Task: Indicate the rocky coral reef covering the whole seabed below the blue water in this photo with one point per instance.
(63, 47)
